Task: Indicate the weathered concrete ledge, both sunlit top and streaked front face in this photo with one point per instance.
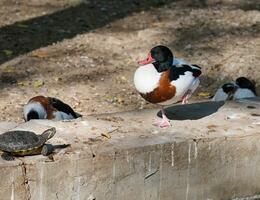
(214, 157)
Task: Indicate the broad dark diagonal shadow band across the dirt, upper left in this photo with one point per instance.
(25, 36)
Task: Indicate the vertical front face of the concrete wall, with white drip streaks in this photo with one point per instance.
(204, 169)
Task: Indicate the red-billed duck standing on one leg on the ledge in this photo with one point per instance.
(164, 80)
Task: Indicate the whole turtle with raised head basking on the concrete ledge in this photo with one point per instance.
(23, 143)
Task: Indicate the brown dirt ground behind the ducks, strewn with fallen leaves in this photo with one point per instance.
(85, 52)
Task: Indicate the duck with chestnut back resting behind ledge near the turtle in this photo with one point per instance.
(40, 107)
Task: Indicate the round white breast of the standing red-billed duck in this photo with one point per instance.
(146, 78)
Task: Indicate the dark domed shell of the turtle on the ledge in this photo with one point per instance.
(13, 141)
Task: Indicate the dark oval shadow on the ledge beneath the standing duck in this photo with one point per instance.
(192, 111)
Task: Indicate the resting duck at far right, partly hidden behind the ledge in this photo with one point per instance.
(241, 88)
